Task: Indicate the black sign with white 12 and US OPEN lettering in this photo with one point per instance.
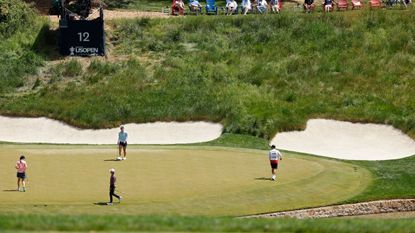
(82, 37)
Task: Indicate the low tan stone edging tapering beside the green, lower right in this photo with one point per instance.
(357, 209)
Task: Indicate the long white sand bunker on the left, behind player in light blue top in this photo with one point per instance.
(44, 130)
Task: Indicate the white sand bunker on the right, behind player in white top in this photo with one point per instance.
(345, 140)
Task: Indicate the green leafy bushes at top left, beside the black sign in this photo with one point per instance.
(17, 24)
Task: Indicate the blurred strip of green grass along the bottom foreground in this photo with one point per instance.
(84, 223)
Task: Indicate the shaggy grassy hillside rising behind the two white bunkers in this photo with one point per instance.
(256, 74)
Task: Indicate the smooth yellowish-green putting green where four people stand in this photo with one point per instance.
(172, 180)
